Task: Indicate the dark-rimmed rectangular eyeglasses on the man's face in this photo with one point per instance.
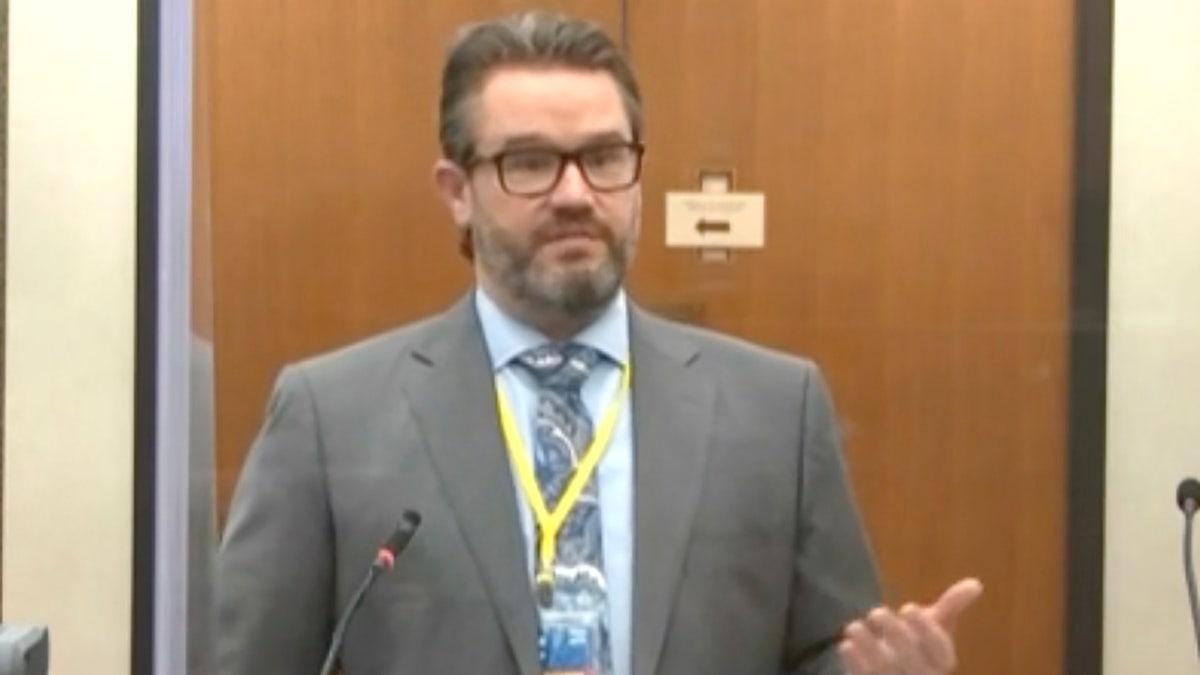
(533, 172)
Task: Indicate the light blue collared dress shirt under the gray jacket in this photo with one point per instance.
(508, 338)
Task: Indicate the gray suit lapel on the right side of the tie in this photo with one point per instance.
(673, 413)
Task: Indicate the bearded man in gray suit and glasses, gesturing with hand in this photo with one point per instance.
(602, 491)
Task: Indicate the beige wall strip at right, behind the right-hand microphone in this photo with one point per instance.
(1155, 338)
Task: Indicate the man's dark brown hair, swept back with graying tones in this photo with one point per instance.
(535, 38)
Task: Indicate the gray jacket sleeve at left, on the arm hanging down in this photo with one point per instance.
(275, 569)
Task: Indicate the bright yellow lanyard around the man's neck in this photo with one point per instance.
(551, 522)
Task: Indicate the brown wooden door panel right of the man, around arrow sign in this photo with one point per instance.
(916, 164)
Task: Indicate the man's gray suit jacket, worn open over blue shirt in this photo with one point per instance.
(749, 554)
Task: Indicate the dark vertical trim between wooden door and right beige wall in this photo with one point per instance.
(1089, 338)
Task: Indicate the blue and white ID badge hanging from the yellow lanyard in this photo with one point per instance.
(574, 632)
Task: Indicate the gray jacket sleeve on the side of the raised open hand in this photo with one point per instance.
(835, 577)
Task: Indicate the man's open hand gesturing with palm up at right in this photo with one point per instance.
(917, 641)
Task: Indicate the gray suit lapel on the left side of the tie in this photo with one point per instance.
(457, 411)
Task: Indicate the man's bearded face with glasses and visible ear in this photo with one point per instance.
(554, 247)
